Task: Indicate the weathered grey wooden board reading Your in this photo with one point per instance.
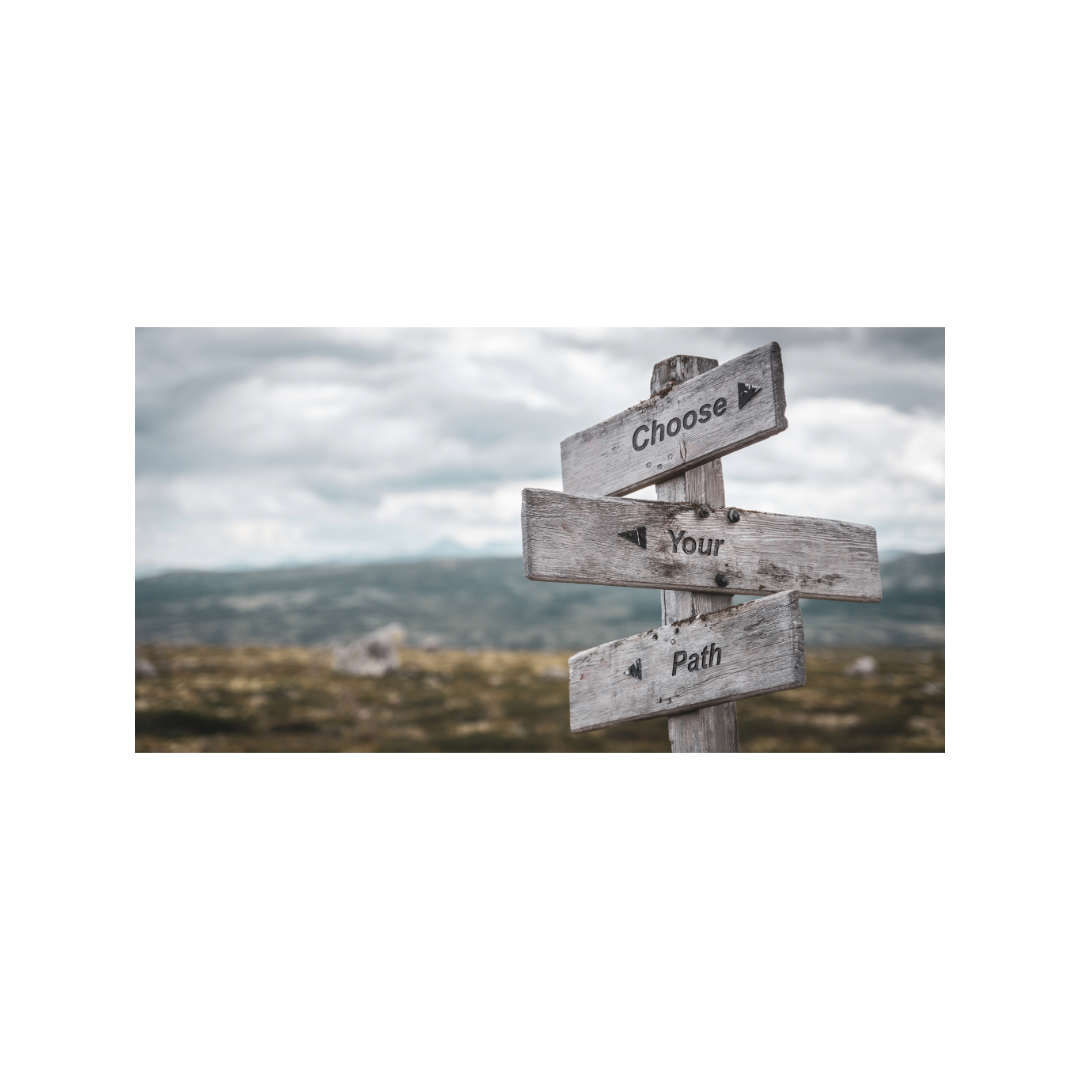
(577, 539)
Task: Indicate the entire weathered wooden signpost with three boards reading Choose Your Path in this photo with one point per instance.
(696, 549)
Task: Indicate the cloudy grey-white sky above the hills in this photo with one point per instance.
(269, 448)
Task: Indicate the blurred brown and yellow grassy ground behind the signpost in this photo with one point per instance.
(262, 699)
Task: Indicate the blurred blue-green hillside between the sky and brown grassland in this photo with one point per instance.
(487, 603)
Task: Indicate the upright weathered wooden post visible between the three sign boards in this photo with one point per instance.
(713, 731)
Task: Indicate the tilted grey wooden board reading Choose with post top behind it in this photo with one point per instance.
(603, 461)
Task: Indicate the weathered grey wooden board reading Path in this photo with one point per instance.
(755, 649)
